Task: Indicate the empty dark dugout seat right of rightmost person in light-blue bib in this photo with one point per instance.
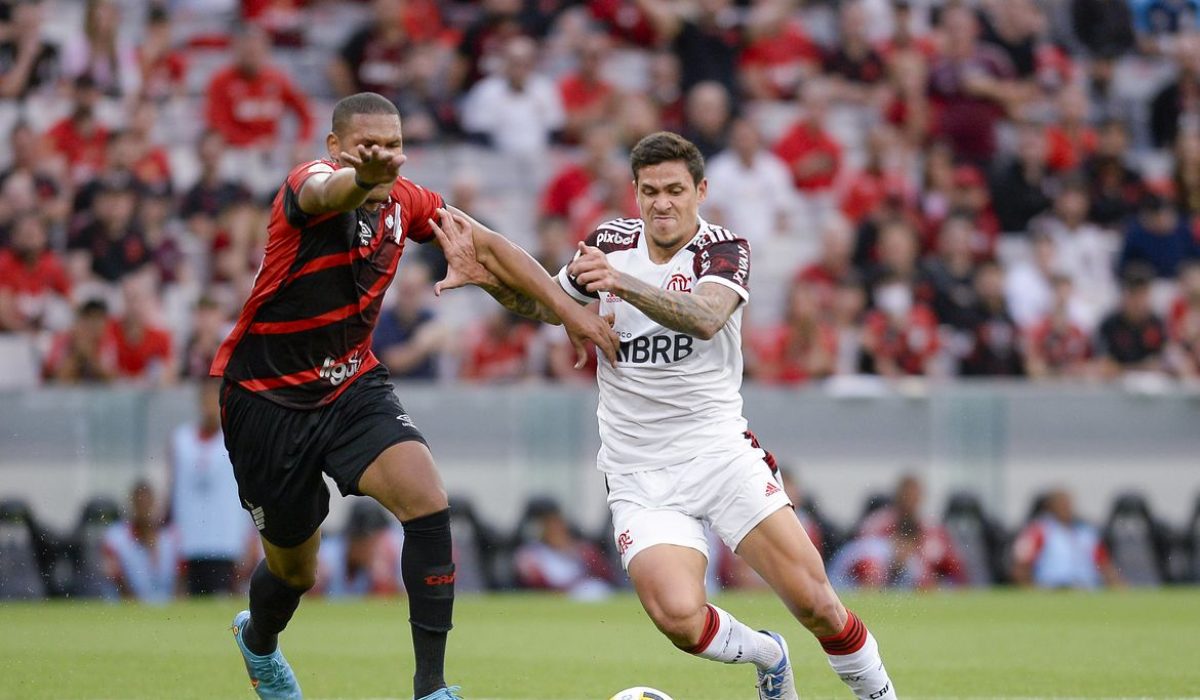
(1138, 543)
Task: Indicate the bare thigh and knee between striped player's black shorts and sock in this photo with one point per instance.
(405, 481)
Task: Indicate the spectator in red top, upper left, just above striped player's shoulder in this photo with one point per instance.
(247, 101)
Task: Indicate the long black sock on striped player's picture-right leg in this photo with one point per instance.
(428, 567)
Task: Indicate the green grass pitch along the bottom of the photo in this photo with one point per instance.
(533, 648)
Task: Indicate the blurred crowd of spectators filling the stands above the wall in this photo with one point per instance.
(932, 188)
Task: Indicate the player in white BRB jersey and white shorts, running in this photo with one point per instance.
(676, 450)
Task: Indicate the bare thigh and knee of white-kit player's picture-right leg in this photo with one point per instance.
(781, 552)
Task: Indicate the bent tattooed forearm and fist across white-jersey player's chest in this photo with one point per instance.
(701, 314)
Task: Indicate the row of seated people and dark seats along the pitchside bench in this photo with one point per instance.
(190, 543)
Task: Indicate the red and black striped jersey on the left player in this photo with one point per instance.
(305, 333)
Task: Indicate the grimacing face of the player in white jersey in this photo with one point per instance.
(670, 204)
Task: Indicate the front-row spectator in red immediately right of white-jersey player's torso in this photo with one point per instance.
(803, 348)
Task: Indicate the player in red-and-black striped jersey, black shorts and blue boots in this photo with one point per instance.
(304, 396)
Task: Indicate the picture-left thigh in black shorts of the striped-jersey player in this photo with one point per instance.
(277, 456)
